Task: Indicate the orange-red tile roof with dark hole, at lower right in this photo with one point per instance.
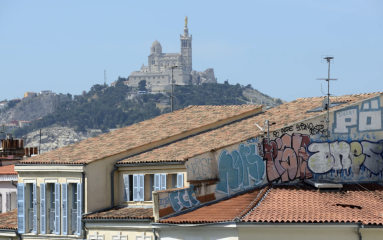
(291, 205)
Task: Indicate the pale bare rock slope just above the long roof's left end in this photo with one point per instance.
(54, 137)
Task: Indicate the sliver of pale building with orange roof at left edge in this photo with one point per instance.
(8, 181)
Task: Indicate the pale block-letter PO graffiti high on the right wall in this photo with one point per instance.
(367, 118)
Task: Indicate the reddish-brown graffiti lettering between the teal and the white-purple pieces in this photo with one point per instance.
(286, 157)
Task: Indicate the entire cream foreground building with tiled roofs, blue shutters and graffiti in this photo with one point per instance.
(208, 172)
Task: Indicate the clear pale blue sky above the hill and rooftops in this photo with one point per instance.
(276, 46)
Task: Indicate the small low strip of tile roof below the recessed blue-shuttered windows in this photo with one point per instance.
(122, 212)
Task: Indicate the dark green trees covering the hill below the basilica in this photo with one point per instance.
(105, 107)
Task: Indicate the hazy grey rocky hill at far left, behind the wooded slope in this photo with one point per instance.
(34, 108)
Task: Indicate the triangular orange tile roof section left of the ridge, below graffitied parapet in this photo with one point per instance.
(222, 211)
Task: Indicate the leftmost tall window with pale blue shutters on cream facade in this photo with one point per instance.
(27, 207)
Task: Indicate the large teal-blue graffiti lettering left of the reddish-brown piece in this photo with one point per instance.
(238, 168)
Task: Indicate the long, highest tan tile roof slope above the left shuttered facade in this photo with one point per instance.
(149, 131)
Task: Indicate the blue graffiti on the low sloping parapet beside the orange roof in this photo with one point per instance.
(185, 198)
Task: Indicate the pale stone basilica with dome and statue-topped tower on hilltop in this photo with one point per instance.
(158, 73)
